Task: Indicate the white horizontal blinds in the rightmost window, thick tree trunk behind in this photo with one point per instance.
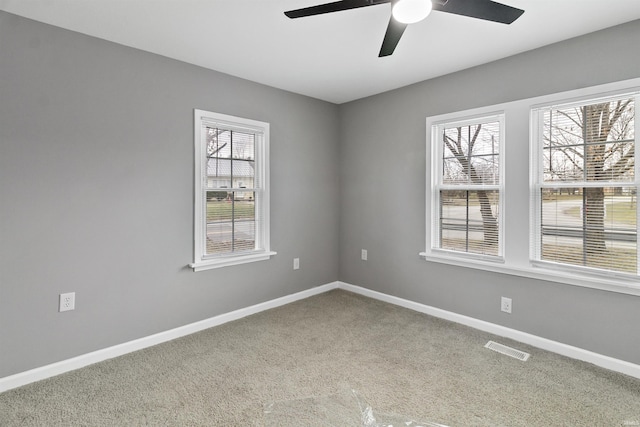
(587, 212)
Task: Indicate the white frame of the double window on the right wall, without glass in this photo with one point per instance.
(519, 185)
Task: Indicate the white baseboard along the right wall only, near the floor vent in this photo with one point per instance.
(607, 362)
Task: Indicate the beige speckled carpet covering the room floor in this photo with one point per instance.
(401, 362)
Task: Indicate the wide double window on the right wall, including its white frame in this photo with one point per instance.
(544, 188)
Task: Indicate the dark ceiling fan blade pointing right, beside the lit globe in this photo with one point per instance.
(481, 9)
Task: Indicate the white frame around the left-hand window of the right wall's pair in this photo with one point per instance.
(436, 129)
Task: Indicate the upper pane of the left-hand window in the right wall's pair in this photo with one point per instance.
(471, 154)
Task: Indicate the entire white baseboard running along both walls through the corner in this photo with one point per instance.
(61, 367)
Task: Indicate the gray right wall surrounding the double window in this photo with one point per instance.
(383, 196)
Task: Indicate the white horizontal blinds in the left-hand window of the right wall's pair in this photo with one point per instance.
(469, 187)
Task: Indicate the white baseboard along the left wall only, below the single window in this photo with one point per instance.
(63, 366)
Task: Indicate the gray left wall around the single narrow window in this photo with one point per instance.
(96, 194)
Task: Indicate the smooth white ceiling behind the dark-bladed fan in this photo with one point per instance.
(333, 57)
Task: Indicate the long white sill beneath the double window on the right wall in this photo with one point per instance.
(610, 283)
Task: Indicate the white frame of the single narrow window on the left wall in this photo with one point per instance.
(202, 261)
